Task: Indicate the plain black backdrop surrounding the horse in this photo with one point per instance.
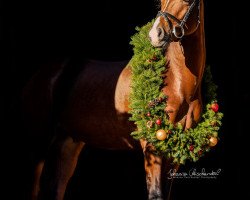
(36, 32)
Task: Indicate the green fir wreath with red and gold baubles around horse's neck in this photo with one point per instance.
(147, 104)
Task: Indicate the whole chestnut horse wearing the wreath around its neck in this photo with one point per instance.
(95, 109)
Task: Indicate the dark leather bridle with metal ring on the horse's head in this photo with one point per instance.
(180, 23)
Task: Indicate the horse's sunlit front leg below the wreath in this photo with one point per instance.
(153, 169)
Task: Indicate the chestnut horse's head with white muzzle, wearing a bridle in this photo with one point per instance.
(176, 19)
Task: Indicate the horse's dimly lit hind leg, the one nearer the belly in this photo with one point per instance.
(59, 168)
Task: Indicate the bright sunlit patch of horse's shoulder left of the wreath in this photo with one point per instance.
(122, 90)
